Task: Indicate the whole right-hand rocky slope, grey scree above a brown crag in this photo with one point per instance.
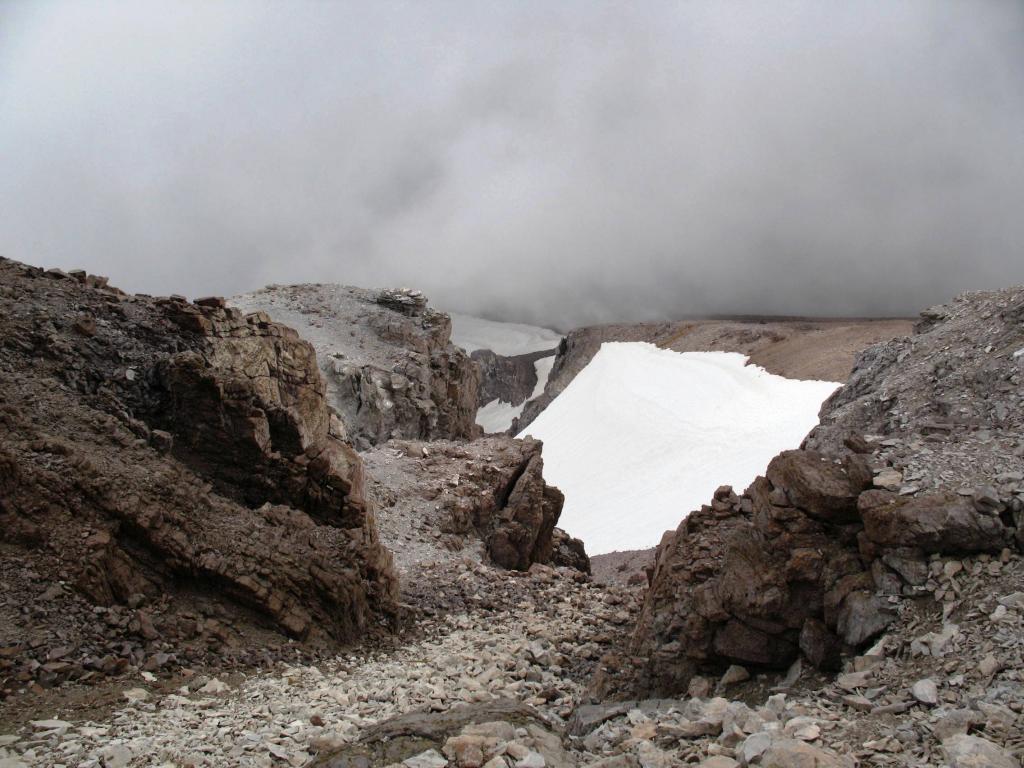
(920, 455)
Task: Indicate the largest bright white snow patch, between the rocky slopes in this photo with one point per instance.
(644, 436)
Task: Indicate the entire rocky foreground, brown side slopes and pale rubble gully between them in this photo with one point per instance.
(861, 605)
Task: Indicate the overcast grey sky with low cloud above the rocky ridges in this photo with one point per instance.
(545, 161)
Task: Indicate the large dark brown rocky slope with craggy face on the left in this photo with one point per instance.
(155, 450)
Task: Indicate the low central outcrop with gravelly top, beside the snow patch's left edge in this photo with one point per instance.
(488, 499)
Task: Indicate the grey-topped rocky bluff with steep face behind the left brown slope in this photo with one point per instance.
(391, 369)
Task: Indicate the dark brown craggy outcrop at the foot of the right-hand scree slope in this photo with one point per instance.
(740, 580)
